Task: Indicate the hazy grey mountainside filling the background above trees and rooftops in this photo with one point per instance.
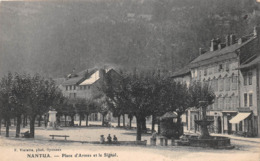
(52, 38)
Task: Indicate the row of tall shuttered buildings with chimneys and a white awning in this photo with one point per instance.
(222, 68)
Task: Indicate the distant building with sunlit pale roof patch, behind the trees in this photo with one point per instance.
(86, 84)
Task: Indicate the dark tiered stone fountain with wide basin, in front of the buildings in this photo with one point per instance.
(205, 140)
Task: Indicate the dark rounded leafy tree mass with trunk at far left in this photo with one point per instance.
(29, 95)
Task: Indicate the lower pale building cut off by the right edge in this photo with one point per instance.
(250, 95)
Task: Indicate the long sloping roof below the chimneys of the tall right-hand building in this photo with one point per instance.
(219, 55)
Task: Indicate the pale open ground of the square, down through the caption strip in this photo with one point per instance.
(19, 149)
